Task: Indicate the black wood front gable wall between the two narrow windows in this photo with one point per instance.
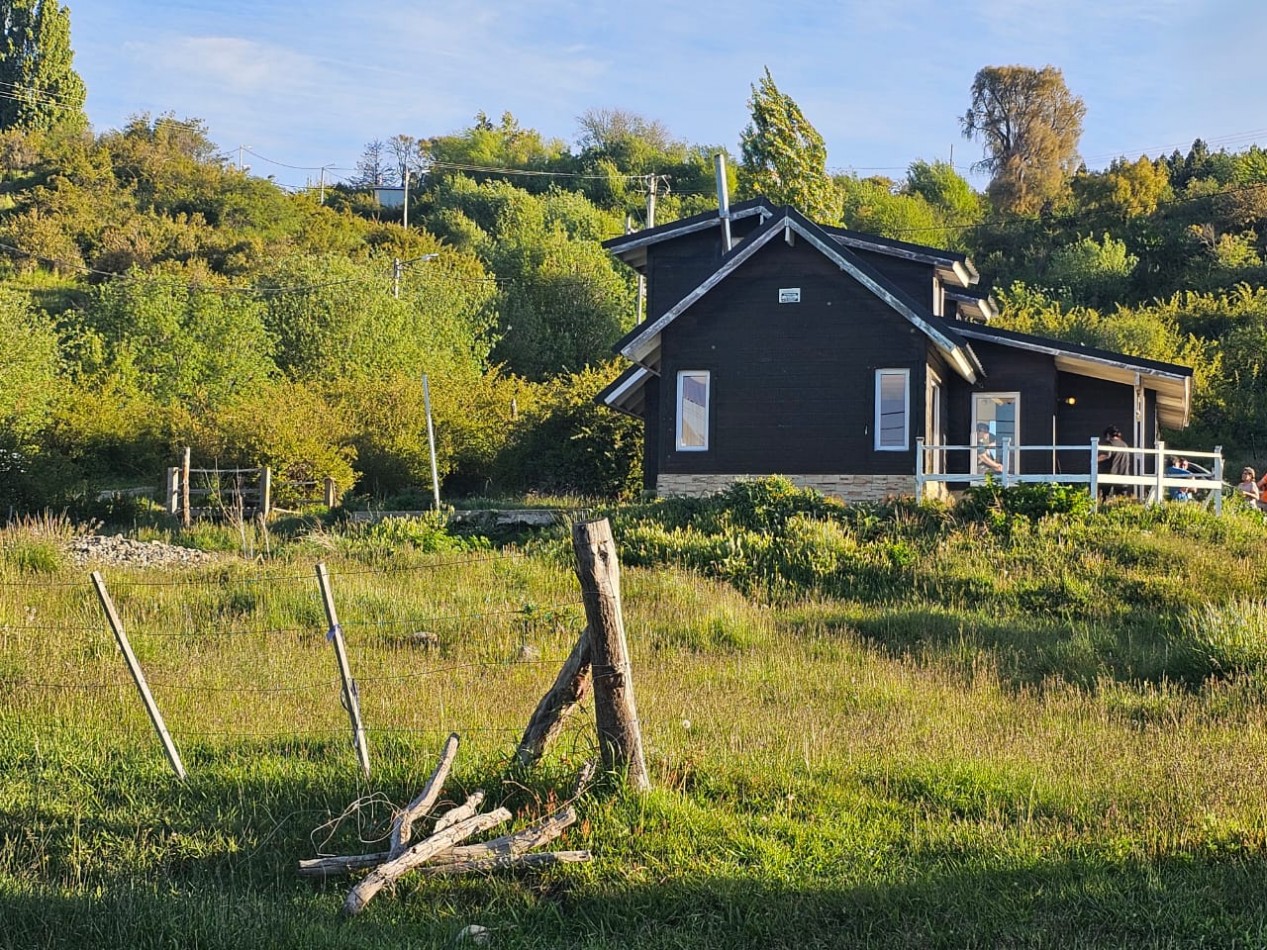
(793, 384)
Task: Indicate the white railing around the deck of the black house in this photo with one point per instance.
(1152, 487)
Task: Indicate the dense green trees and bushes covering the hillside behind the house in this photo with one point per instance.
(153, 296)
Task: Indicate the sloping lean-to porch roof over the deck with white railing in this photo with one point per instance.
(1171, 382)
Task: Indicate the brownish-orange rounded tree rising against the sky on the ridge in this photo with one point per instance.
(1029, 125)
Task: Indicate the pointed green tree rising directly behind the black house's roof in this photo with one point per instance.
(785, 158)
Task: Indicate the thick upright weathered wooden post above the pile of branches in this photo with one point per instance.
(600, 573)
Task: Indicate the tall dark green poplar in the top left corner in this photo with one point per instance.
(40, 89)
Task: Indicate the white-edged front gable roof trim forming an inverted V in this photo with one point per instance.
(643, 344)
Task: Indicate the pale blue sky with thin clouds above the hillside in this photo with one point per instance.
(885, 82)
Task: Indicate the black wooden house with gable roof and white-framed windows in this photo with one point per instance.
(825, 355)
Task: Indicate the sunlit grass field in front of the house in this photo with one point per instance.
(1046, 737)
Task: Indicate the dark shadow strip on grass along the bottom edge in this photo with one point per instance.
(1218, 901)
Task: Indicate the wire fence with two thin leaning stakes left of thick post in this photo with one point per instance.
(234, 657)
